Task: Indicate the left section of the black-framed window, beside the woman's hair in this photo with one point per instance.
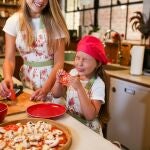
(79, 13)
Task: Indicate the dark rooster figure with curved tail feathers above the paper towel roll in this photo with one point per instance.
(141, 23)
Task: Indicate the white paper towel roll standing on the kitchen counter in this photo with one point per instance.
(137, 57)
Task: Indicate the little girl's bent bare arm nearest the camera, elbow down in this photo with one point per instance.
(90, 108)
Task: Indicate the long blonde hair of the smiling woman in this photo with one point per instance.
(52, 18)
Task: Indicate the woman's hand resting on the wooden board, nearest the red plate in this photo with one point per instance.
(39, 95)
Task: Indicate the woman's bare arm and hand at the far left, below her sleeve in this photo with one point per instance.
(9, 64)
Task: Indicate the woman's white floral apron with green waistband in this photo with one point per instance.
(38, 59)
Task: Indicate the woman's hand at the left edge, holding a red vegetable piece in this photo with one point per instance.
(5, 86)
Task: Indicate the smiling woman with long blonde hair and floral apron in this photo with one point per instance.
(39, 33)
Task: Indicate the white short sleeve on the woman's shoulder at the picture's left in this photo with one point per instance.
(11, 25)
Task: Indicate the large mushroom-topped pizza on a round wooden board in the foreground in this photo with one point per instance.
(34, 134)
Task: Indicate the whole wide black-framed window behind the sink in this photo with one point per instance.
(111, 14)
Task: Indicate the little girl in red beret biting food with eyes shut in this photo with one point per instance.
(86, 91)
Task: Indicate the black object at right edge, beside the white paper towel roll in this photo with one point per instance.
(146, 64)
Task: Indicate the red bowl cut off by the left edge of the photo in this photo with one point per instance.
(3, 111)
